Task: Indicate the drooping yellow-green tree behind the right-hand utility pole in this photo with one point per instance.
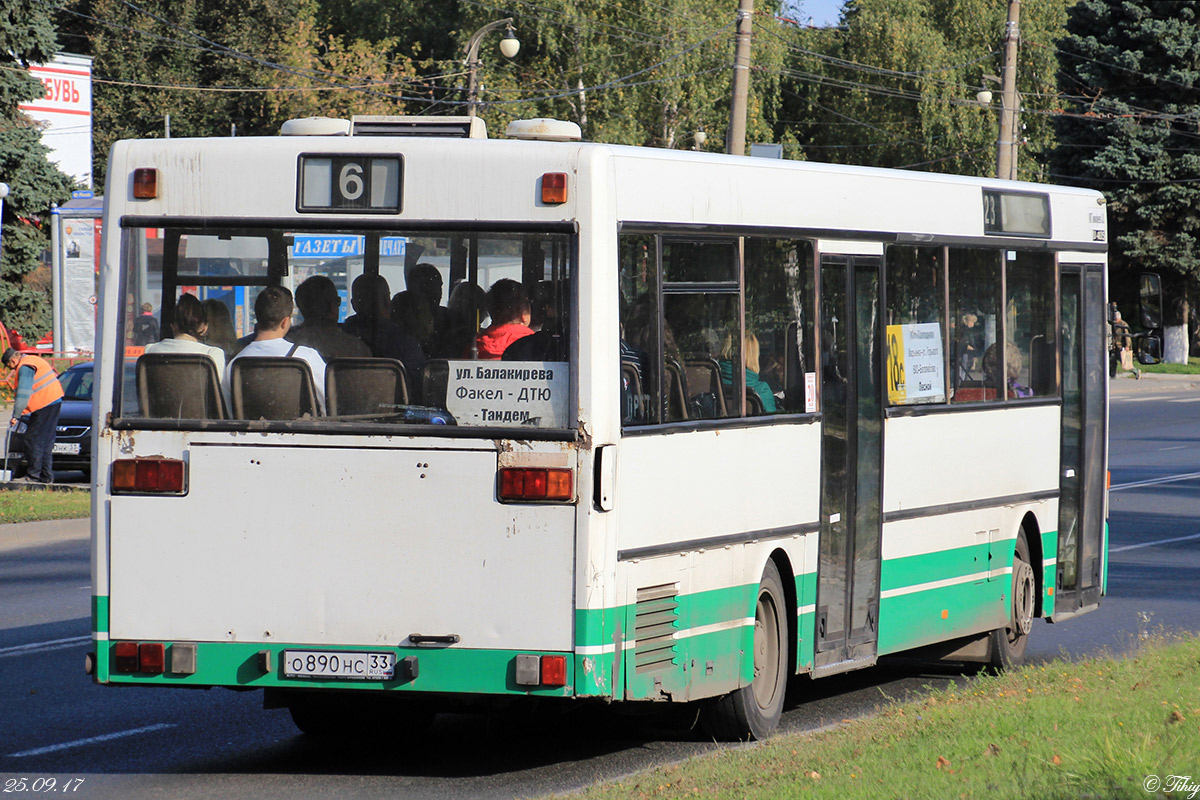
(896, 85)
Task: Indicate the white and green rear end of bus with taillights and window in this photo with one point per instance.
(394, 521)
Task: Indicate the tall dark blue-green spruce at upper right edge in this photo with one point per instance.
(1131, 74)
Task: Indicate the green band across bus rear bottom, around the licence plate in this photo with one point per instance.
(451, 670)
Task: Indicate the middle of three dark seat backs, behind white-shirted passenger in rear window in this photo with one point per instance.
(272, 388)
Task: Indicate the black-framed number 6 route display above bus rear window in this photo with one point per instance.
(350, 184)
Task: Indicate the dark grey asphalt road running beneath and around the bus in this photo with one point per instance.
(136, 743)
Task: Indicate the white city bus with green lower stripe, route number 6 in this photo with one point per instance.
(781, 419)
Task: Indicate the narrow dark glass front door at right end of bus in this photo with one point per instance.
(1084, 436)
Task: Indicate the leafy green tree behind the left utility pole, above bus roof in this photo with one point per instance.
(633, 75)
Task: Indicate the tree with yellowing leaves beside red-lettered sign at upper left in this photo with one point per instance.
(221, 68)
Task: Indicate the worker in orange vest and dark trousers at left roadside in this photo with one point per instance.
(40, 396)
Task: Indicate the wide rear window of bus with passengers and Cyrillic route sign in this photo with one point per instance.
(343, 327)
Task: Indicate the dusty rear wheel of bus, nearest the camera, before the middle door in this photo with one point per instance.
(753, 712)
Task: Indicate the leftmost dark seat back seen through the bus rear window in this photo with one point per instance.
(179, 387)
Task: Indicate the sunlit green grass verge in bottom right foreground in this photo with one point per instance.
(1096, 729)
